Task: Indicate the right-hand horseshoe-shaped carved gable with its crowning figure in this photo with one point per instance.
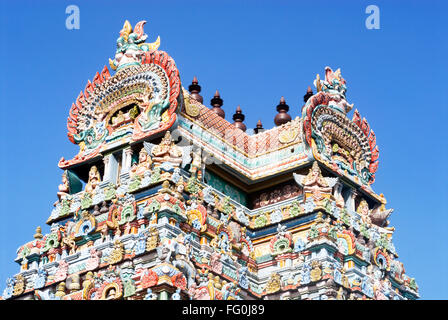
(347, 146)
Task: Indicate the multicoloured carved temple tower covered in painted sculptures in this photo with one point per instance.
(167, 200)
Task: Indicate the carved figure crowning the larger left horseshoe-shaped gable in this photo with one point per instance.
(131, 46)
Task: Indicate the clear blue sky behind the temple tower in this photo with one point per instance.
(254, 52)
